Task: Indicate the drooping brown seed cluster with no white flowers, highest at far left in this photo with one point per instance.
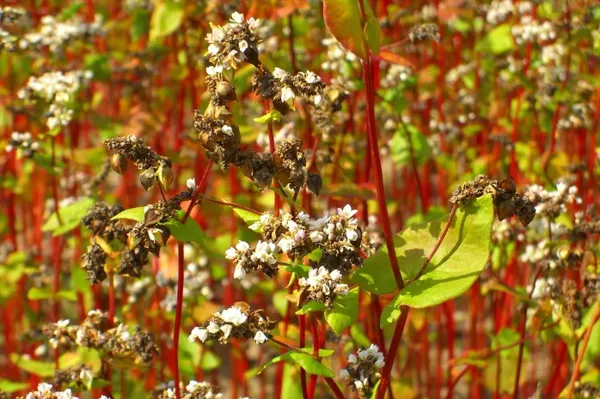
(153, 166)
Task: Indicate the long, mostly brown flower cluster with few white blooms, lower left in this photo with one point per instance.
(94, 332)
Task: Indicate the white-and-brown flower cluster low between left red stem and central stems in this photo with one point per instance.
(238, 321)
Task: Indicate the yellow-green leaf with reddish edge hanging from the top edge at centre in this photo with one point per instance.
(343, 21)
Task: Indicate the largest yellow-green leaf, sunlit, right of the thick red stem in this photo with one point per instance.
(455, 266)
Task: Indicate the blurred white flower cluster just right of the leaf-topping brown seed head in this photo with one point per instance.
(552, 203)
